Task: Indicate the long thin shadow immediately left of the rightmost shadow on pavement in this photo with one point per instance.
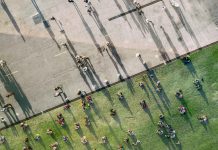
(179, 34)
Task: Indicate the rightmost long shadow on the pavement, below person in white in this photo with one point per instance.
(186, 25)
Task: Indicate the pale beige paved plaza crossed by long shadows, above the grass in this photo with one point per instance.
(39, 57)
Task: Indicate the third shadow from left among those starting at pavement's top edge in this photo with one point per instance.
(88, 29)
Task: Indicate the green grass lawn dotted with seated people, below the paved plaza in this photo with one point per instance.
(192, 134)
